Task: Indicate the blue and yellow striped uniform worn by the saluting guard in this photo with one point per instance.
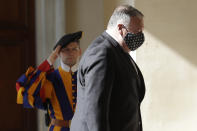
(58, 86)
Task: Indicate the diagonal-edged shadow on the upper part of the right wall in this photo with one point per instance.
(174, 23)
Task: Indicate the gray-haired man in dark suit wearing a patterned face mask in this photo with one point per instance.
(110, 84)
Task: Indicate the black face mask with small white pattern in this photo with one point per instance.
(133, 41)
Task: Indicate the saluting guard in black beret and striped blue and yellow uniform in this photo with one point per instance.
(54, 90)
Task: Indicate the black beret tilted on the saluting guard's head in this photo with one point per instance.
(68, 38)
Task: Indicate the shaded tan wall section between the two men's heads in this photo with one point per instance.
(85, 15)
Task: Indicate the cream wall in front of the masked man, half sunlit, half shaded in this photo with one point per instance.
(169, 64)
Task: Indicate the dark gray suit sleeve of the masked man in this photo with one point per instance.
(99, 79)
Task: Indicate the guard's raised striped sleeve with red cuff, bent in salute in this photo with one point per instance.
(33, 88)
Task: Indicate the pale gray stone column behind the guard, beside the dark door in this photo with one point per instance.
(50, 26)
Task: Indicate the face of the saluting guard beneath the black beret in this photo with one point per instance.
(70, 54)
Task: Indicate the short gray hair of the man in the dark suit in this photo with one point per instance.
(122, 15)
